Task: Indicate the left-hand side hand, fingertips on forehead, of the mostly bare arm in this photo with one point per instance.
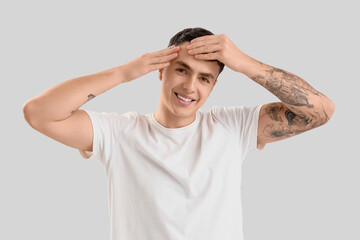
(149, 62)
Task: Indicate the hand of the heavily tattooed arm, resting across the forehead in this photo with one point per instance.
(221, 48)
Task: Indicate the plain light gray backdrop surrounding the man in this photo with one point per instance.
(306, 187)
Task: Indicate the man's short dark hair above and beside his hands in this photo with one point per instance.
(189, 34)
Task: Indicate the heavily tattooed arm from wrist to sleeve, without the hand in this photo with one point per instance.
(301, 108)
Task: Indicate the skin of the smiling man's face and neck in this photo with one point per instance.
(195, 83)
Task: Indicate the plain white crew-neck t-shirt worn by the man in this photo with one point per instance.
(175, 183)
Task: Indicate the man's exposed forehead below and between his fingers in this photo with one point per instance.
(196, 64)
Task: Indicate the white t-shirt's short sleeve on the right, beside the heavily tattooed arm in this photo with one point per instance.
(243, 121)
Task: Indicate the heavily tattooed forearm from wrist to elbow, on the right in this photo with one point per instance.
(301, 98)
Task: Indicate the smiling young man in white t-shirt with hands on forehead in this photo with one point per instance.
(176, 173)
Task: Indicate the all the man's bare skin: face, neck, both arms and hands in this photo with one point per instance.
(55, 112)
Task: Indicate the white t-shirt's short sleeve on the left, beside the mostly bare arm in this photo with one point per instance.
(107, 128)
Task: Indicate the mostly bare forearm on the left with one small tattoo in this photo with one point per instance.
(62, 100)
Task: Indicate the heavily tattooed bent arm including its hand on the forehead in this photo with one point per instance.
(301, 108)
